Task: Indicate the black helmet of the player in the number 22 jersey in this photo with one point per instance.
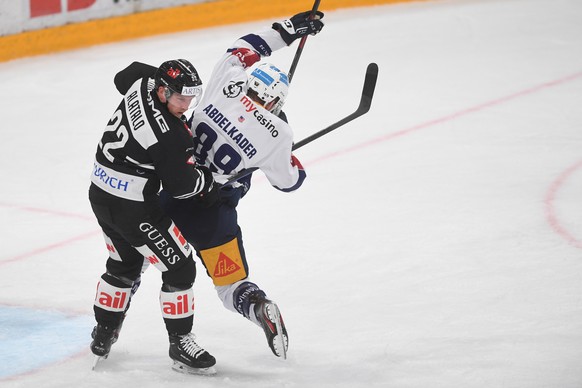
(180, 76)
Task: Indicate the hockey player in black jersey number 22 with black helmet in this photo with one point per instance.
(146, 144)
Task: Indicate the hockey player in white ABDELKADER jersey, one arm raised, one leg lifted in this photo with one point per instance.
(239, 125)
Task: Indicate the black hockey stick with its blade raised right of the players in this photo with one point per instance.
(363, 108)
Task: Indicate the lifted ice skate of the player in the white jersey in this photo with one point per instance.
(272, 323)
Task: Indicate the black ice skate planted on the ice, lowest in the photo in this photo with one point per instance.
(189, 357)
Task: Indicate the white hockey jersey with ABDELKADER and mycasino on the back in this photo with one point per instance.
(232, 133)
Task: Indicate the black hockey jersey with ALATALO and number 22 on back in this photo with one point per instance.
(144, 145)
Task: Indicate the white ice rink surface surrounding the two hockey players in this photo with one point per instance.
(435, 243)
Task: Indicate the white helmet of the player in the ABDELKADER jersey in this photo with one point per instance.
(270, 85)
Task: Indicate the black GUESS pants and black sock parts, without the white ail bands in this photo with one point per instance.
(136, 230)
